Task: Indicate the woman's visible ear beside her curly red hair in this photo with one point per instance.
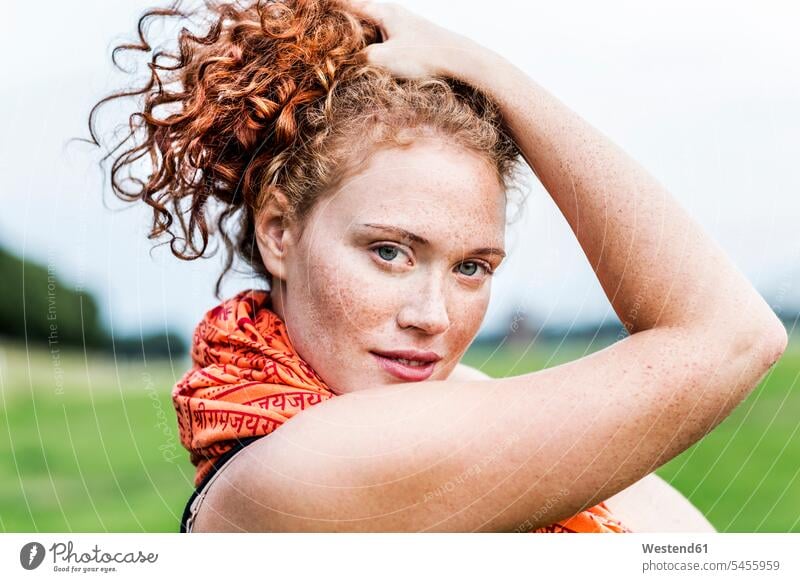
(273, 236)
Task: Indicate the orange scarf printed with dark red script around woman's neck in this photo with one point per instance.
(247, 380)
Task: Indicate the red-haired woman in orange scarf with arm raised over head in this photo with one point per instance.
(367, 154)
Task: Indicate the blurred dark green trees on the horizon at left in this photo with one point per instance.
(39, 308)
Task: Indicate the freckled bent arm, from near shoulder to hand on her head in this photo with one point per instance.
(501, 454)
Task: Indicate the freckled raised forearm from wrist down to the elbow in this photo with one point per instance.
(655, 263)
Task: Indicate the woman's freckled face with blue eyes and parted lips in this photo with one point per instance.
(398, 258)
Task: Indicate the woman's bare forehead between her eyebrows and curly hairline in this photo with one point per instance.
(437, 190)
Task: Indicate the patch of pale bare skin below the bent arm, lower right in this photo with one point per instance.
(653, 505)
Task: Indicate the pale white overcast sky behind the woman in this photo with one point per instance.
(705, 95)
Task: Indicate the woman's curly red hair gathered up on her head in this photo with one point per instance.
(272, 94)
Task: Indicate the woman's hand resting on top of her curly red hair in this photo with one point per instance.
(413, 47)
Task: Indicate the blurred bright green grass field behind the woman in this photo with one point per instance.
(91, 445)
